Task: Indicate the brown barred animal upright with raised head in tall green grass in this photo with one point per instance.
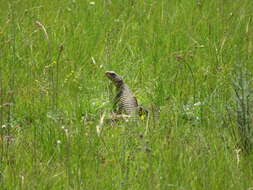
(125, 99)
